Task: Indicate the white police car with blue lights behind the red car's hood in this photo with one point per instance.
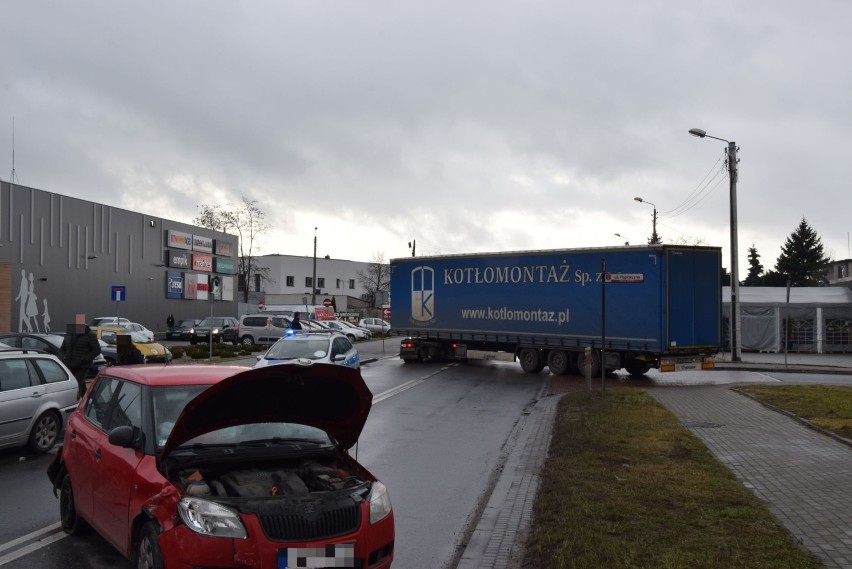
(309, 348)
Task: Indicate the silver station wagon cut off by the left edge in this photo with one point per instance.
(37, 392)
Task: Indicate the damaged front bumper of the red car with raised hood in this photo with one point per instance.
(184, 549)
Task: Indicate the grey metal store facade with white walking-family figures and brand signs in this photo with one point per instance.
(61, 256)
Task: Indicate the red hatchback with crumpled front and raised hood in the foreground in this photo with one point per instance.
(221, 466)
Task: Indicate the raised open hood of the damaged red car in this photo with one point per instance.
(330, 397)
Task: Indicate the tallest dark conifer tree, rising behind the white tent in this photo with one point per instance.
(802, 260)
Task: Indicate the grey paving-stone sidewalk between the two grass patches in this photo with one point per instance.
(803, 475)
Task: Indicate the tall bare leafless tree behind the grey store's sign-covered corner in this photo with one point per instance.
(246, 220)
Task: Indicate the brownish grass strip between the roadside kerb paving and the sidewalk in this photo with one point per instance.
(626, 486)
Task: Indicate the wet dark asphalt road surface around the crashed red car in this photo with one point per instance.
(434, 436)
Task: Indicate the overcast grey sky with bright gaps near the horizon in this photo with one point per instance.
(466, 126)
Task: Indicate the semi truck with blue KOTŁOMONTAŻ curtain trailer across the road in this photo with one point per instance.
(634, 307)
